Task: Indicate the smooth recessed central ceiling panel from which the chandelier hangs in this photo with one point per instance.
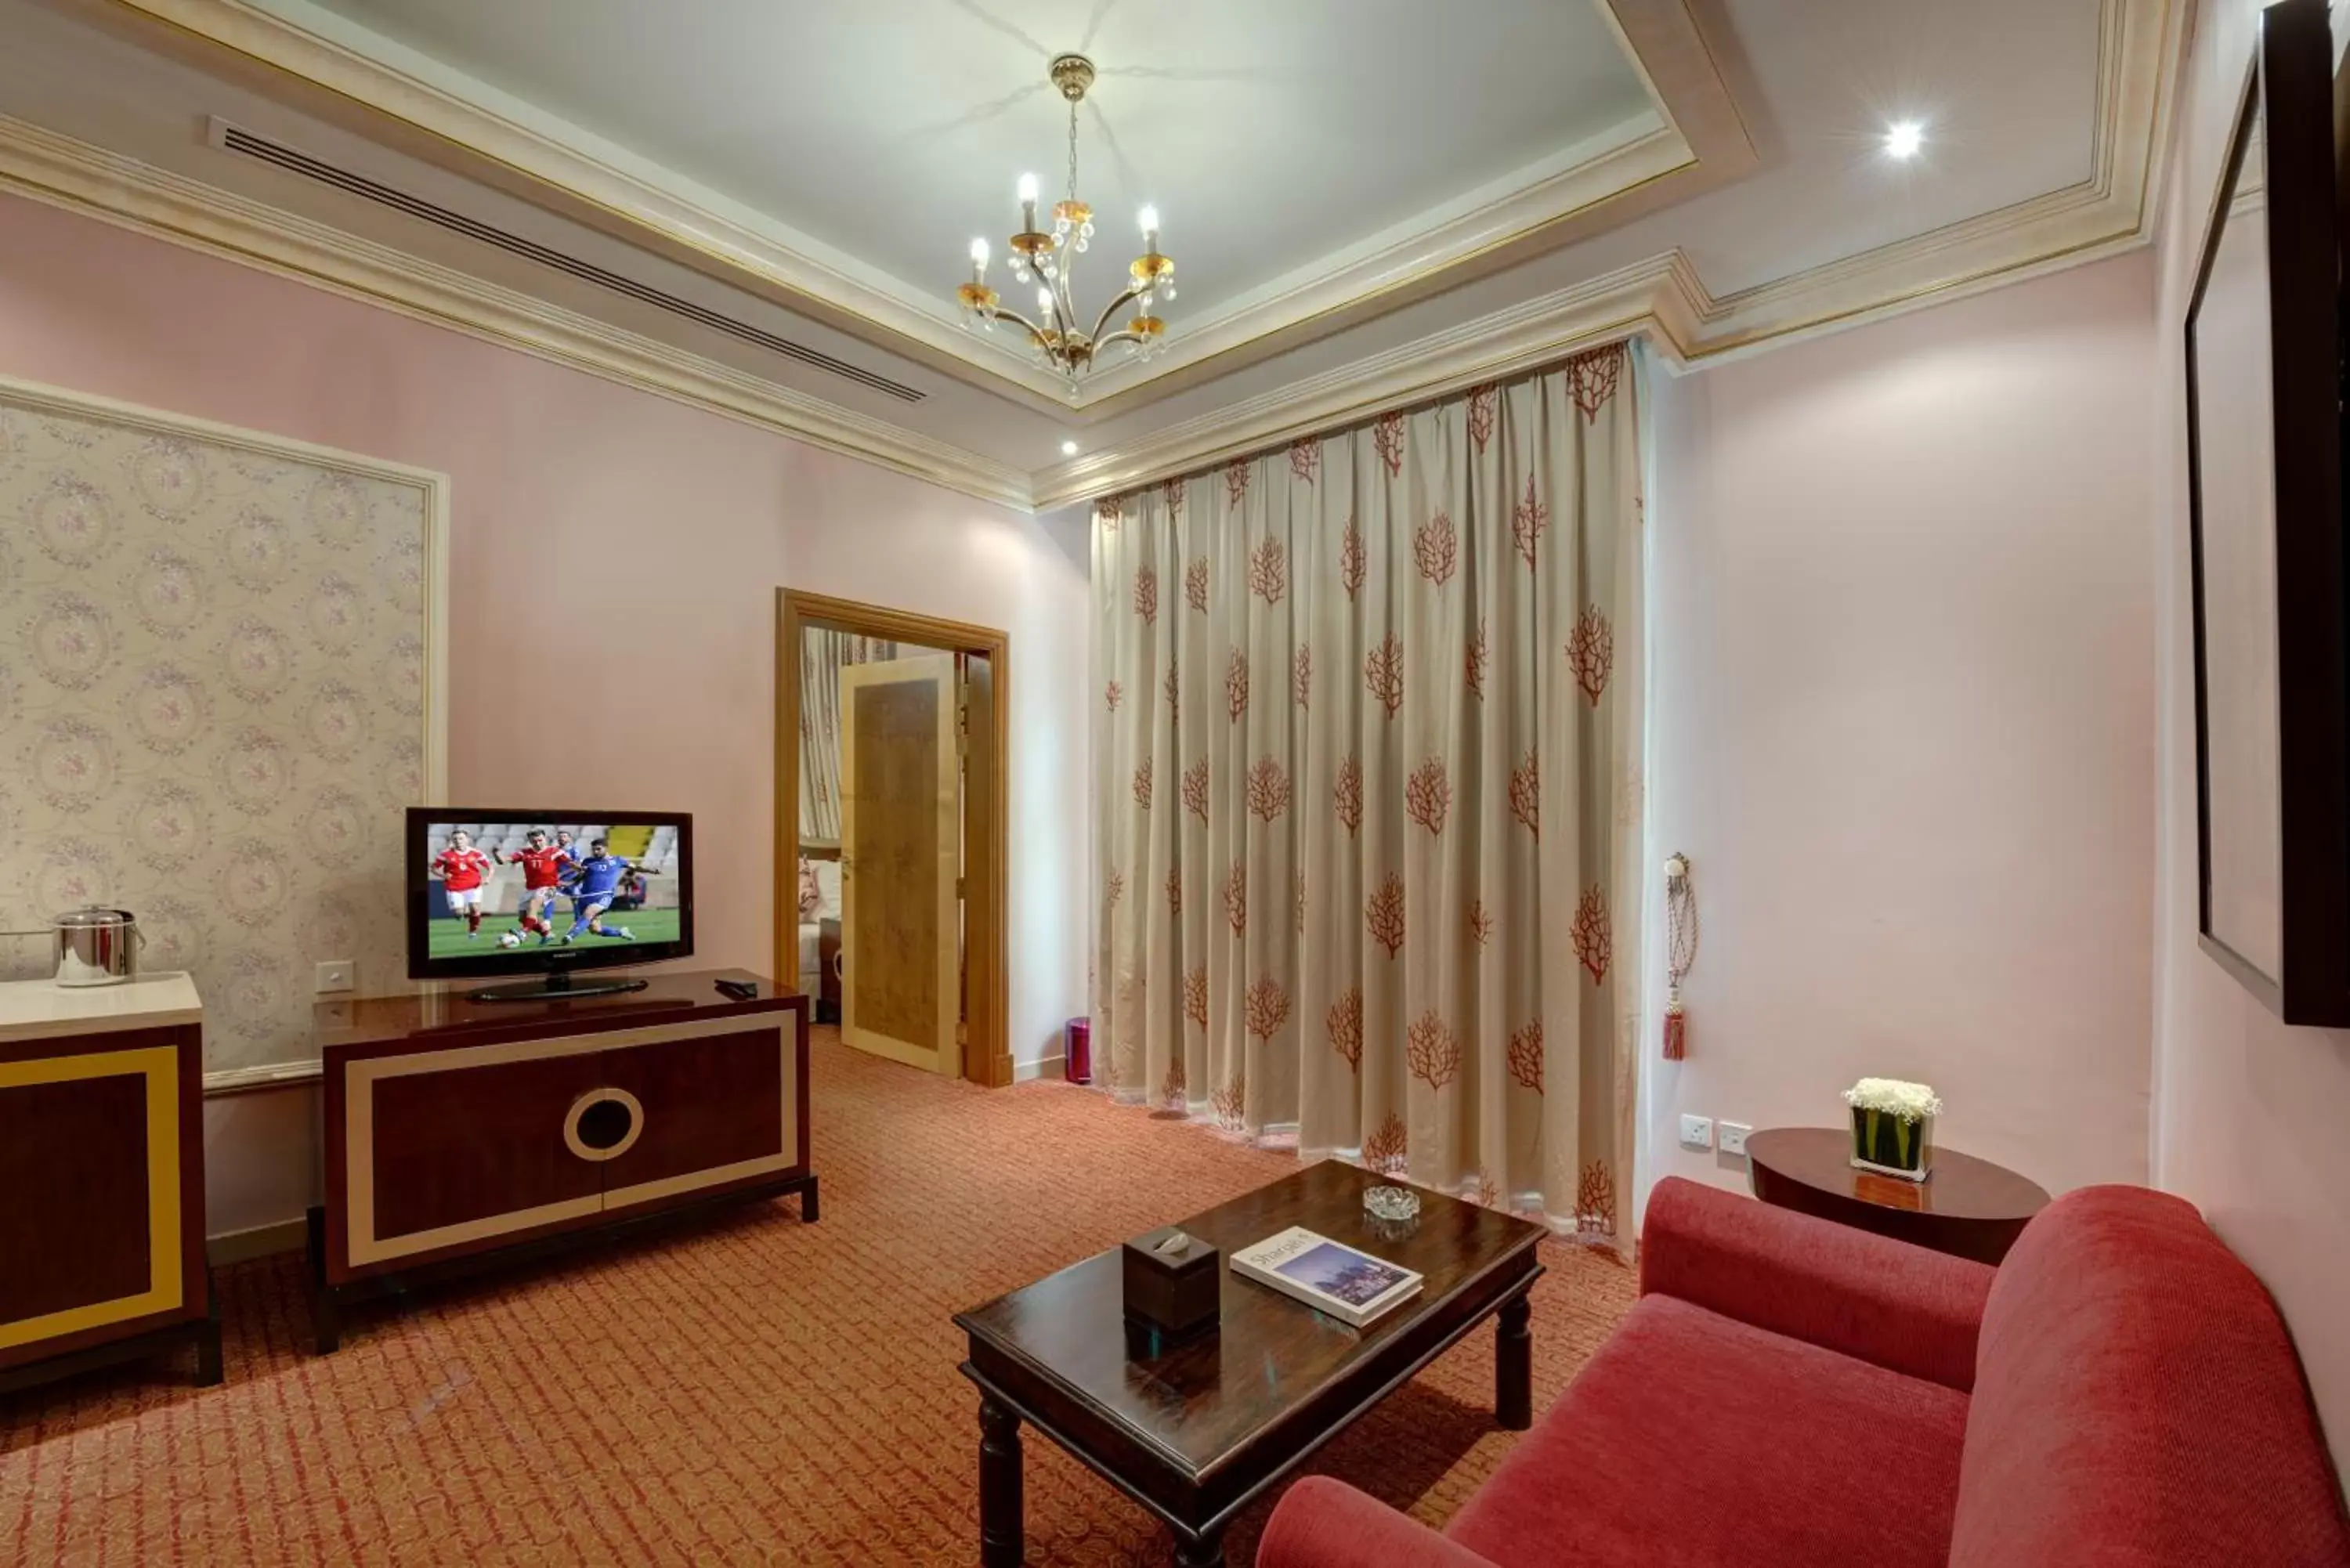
(894, 130)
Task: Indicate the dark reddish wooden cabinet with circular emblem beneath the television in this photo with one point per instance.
(464, 1132)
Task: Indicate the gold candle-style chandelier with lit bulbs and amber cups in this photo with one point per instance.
(1047, 257)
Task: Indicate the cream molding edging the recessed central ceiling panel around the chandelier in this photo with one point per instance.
(1693, 140)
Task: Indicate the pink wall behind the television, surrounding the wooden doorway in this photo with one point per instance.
(570, 490)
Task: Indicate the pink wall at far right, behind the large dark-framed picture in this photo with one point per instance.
(2250, 1115)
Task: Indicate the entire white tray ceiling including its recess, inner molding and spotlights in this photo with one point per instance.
(1282, 130)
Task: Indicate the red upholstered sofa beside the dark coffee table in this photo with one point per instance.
(1794, 1393)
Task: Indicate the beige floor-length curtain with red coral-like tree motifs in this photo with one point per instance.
(1369, 789)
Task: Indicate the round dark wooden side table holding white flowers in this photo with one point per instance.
(1968, 1207)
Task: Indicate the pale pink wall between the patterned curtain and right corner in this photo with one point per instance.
(1905, 725)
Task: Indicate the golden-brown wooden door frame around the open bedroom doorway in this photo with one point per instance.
(988, 1057)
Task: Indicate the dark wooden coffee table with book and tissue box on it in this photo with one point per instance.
(1197, 1430)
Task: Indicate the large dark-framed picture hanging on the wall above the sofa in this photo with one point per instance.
(2267, 537)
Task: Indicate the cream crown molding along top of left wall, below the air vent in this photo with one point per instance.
(166, 206)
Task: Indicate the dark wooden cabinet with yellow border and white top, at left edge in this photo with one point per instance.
(102, 1179)
